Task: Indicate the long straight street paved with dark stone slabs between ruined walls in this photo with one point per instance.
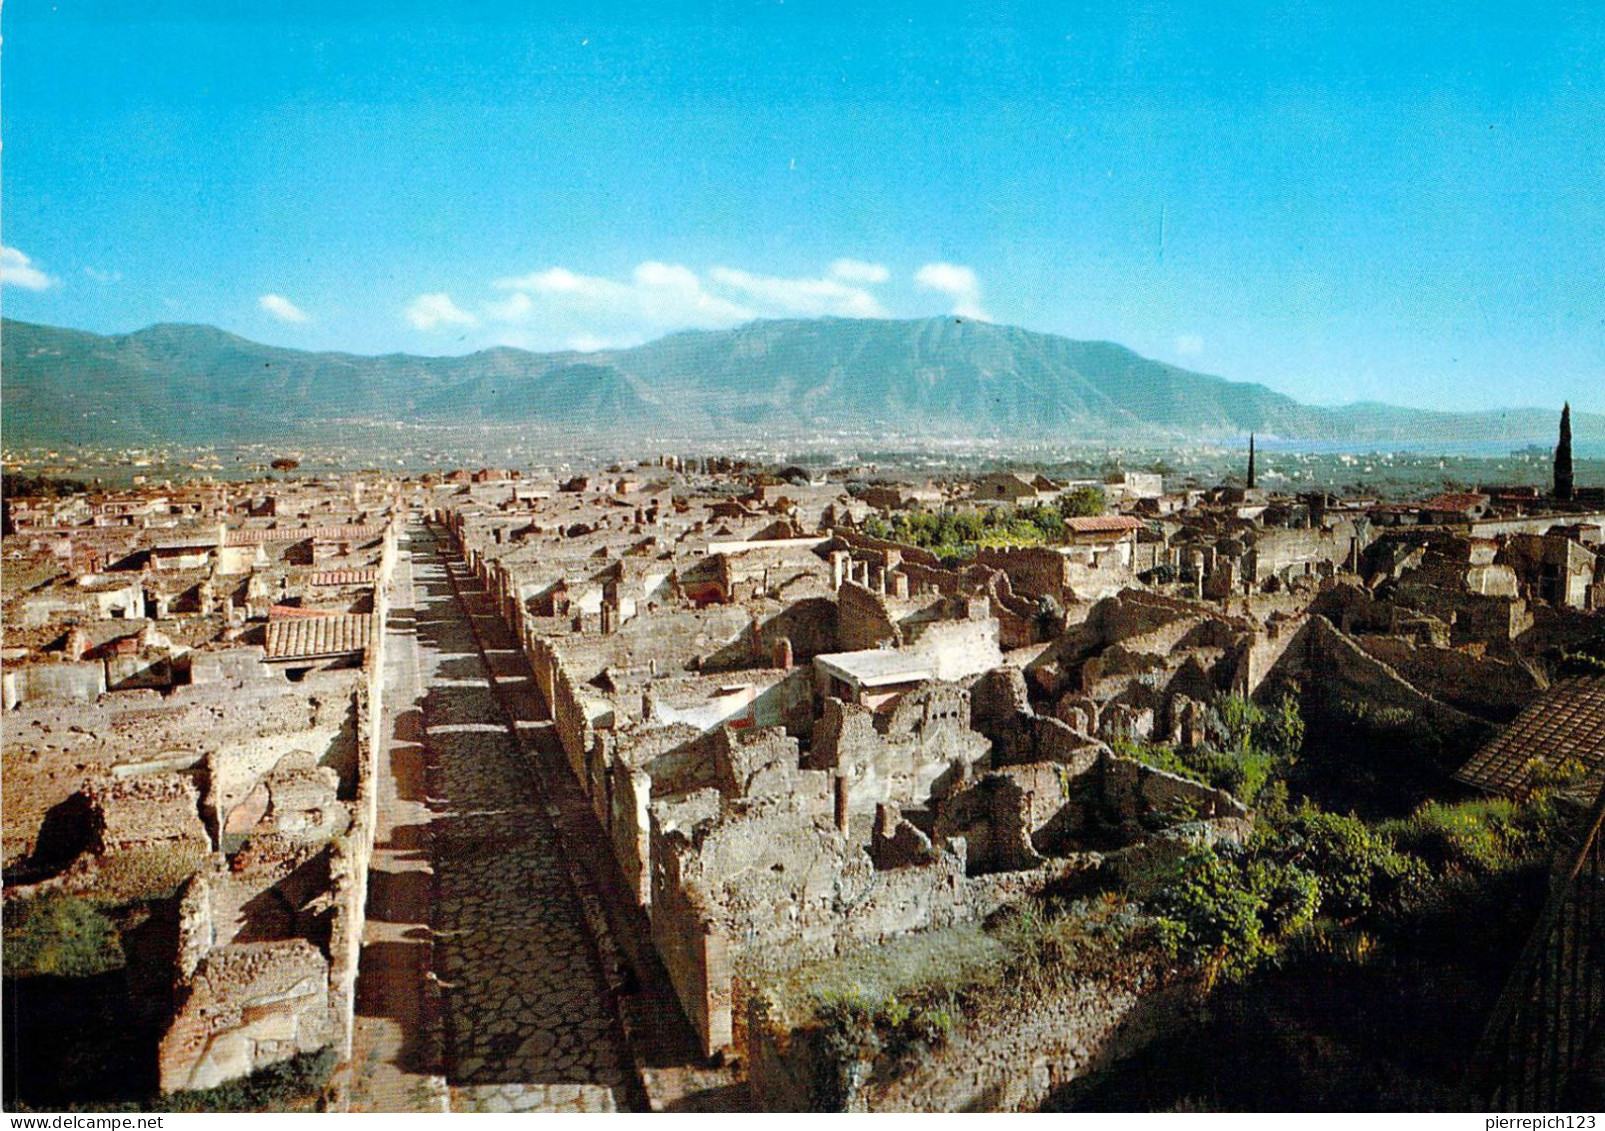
(527, 1016)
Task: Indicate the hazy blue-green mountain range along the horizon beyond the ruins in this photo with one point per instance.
(943, 376)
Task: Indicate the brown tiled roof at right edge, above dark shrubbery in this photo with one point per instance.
(1567, 723)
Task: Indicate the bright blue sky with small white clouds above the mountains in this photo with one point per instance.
(1343, 201)
